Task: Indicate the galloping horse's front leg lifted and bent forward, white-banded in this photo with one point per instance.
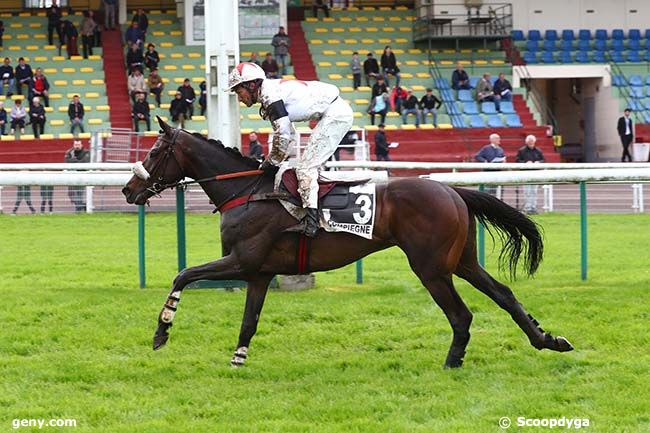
(226, 268)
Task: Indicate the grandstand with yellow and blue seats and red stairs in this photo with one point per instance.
(428, 45)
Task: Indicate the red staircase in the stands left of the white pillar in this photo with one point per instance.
(116, 82)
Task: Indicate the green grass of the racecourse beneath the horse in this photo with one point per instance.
(76, 338)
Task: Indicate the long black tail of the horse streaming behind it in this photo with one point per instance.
(511, 226)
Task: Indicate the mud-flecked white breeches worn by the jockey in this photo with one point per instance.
(324, 140)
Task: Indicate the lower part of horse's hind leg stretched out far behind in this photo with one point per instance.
(503, 296)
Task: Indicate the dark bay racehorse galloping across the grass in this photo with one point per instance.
(433, 223)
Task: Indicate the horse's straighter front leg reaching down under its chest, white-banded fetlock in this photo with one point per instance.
(255, 295)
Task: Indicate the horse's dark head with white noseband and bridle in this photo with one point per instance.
(159, 170)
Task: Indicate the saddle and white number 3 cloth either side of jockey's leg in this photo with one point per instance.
(344, 206)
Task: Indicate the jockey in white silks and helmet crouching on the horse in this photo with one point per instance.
(287, 101)
